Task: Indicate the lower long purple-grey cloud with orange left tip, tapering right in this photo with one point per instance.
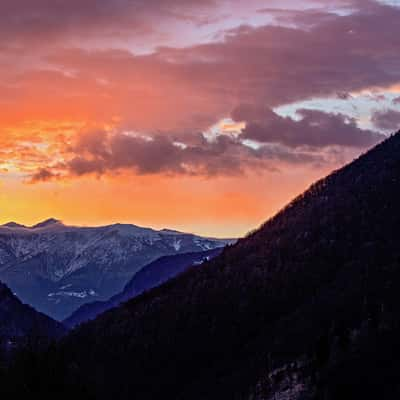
(224, 155)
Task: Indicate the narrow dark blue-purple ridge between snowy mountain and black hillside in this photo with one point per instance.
(148, 277)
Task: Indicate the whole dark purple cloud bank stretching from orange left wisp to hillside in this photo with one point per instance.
(276, 140)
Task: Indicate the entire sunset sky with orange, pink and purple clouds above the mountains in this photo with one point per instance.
(205, 116)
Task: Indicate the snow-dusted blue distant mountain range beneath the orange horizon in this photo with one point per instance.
(57, 268)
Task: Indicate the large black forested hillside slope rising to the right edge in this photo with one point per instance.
(307, 307)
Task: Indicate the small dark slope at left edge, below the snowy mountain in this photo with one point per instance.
(19, 321)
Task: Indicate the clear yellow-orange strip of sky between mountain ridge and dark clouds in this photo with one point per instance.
(224, 207)
